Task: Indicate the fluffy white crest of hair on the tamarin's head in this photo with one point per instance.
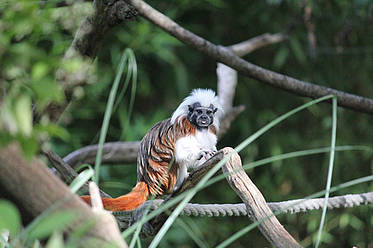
(205, 97)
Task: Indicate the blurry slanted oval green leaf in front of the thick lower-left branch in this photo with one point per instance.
(56, 221)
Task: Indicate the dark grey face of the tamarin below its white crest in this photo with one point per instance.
(201, 117)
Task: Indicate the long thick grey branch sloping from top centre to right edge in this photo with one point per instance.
(226, 56)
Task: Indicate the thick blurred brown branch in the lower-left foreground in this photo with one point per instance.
(35, 189)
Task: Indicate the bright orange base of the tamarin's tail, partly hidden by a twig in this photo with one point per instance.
(128, 202)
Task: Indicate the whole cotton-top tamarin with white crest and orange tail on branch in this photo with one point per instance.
(170, 148)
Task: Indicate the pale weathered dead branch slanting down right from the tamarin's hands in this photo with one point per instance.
(256, 205)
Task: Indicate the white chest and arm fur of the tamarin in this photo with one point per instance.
(191, 151)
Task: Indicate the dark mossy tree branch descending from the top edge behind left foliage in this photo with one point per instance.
(85, 46)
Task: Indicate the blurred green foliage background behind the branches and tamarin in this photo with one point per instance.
(34, 37)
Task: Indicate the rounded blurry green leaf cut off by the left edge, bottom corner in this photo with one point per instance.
(9, 218)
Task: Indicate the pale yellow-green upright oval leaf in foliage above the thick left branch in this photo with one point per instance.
(23, 114)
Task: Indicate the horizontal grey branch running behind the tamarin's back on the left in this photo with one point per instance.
(112, 152)
